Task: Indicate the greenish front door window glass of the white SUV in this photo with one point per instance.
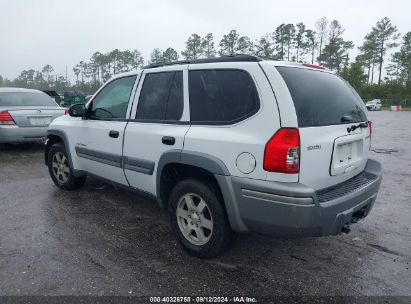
(112, 100)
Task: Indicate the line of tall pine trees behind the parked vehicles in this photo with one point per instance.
(325, 44)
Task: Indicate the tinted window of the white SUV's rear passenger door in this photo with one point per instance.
(161, 97)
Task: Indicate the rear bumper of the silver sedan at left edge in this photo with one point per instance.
(9, 134)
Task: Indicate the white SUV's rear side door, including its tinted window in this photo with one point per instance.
(158, 123)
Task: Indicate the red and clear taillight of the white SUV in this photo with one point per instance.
(282, 152)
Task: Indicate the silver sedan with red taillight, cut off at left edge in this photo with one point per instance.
(25, 114)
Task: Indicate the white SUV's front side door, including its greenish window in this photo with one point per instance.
(99, 141)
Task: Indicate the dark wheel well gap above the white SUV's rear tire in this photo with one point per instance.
(174, 172)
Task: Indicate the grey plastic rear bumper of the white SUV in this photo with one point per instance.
(295, 210)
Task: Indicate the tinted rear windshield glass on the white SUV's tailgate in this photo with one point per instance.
(321, 98)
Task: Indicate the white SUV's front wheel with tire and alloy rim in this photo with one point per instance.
(60, 170)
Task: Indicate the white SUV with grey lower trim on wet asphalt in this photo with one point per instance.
(230, 144)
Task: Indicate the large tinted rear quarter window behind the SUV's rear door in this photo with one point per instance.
(221, 96)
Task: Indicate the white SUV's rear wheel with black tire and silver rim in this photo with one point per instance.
(199, 220)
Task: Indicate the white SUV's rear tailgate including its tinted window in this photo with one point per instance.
(327, 108)
